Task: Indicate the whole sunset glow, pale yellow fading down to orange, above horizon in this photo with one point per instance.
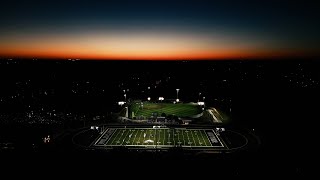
(138, 47)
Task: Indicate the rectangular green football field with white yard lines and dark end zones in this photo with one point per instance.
(159, 137)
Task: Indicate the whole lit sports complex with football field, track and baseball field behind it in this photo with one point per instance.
(163, 125)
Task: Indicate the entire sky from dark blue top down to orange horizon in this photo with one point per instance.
(159, 30)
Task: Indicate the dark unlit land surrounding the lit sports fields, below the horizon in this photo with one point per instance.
(278, 99)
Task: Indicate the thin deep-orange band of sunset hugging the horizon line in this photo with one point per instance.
(191, 55)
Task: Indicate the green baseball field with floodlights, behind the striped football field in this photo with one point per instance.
(147, 109)
